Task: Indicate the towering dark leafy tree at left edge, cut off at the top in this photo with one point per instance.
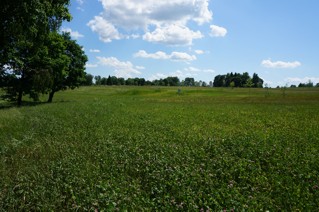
(25, 25)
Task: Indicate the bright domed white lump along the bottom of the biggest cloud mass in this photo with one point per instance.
(173, 35)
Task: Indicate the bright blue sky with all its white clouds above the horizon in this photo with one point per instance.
(278, 40)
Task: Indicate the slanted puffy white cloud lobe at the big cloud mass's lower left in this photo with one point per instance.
(106, 31)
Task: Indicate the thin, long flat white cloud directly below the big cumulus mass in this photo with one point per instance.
(176, 56)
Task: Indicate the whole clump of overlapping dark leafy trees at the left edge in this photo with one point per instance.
(34, 57)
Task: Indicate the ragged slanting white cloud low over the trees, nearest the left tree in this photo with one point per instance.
(121, 69)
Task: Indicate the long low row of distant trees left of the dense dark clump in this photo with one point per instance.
(168, 81)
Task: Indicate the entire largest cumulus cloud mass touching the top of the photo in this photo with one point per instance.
(162, 21)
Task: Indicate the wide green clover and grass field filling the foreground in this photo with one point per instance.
(154, 149)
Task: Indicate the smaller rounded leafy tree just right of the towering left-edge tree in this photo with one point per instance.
(67, 61)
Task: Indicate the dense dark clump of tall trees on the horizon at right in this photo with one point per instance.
(238, 80)
